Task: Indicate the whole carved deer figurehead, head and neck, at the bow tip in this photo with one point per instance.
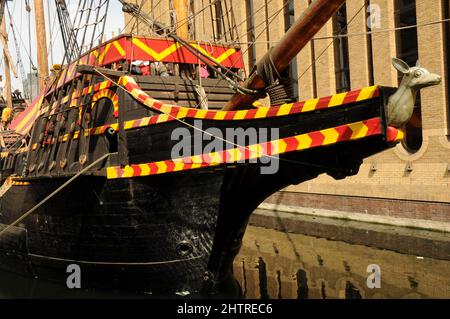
(401, 103)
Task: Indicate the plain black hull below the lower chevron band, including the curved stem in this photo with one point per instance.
(161, 234)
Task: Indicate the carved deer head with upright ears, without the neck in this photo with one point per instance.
(416, 77)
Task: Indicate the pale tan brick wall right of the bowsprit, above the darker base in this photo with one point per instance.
(430, 178)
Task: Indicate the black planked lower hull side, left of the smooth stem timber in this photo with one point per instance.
(152, 234)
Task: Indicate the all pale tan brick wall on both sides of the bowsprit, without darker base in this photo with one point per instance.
(429, 179)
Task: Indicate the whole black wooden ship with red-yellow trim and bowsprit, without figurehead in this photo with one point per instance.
(144, 171)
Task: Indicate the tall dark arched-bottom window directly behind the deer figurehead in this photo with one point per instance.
(407, 50)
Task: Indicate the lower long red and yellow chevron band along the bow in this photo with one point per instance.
(349, 132)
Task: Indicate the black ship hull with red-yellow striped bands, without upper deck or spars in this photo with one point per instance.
(165, 231)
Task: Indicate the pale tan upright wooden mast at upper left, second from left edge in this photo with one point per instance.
(41, 39)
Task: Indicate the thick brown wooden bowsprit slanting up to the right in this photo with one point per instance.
(304, 29)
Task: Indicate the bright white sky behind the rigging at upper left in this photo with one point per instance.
(114, 24)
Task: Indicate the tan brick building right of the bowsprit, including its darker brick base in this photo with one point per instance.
(412, 180)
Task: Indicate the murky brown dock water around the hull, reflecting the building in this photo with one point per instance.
(275, 264)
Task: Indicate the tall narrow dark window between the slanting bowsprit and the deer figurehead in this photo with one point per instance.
(341, 56)
